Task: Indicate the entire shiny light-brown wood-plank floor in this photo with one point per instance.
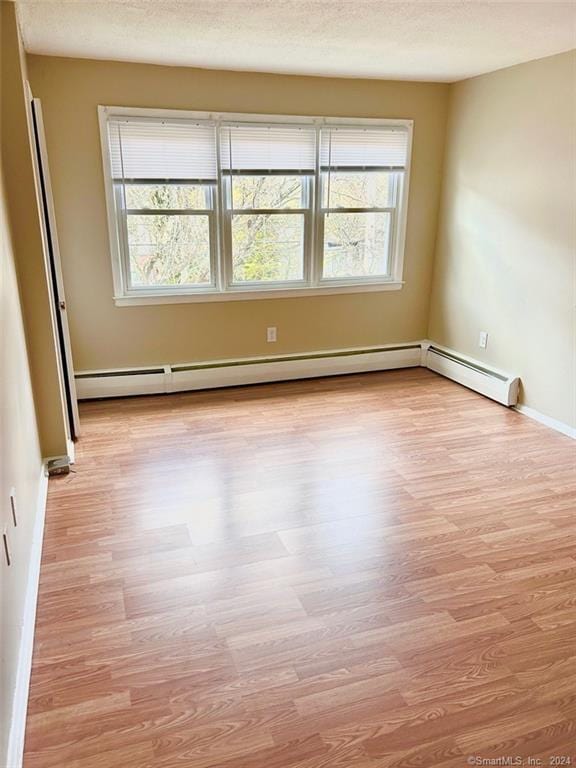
(374, 570)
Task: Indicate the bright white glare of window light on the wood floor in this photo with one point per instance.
(334, 474)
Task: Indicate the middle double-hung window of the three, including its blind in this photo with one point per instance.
(268, 193)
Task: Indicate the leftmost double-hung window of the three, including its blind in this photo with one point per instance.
(164, 174)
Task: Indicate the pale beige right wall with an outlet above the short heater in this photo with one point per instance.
(506, 250)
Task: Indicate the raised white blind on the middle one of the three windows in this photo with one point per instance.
(262, 149)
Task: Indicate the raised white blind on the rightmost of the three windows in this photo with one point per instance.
(343, 148)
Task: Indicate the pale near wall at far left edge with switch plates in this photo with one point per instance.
(21, 463)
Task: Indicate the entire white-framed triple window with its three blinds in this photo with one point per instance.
(205, 207)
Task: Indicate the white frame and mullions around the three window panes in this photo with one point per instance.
(222, 288)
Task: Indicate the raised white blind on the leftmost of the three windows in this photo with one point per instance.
(162, 150)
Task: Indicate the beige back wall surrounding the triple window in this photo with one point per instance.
(106, 336)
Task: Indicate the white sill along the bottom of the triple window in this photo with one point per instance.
(242, 294)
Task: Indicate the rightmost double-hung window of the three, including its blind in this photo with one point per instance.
(362, 173)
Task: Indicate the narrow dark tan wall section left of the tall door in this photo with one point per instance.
(22, 208)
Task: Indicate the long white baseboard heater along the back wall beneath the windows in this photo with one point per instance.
(229, 373)
